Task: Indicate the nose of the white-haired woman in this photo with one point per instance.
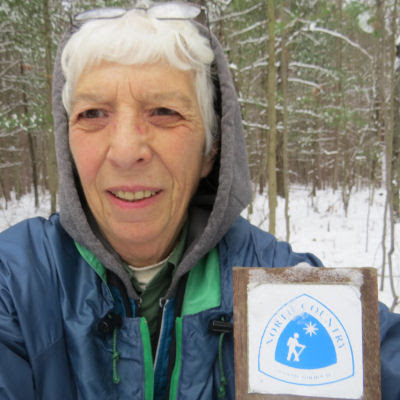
(129, 142)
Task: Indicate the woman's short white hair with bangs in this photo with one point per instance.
(137, 39)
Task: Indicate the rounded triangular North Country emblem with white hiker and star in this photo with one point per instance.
(304, 343)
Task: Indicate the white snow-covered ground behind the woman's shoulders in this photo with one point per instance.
(318, 225)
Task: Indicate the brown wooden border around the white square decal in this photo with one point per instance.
(322, 276)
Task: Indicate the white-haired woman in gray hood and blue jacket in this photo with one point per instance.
(115, 297)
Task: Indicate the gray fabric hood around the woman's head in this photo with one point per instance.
(217, 203)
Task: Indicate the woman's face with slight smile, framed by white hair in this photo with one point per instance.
(137, 139)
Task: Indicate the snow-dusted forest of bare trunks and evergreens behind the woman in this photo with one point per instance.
(318, 83)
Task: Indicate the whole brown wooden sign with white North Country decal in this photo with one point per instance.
(306, 333)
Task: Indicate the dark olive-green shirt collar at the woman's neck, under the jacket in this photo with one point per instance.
(157, 288)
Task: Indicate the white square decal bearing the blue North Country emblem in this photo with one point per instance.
(305, 340)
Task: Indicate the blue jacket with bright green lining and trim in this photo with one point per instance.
(54, 299)
